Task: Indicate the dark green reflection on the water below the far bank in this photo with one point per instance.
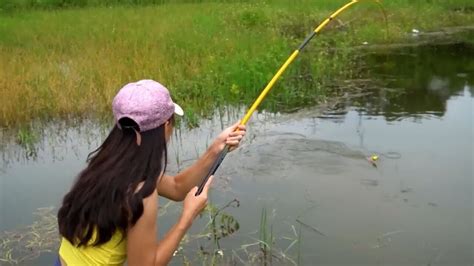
(414, 82)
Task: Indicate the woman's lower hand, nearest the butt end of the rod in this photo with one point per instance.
(193, 205)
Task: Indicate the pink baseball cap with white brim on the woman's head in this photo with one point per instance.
(146, 102)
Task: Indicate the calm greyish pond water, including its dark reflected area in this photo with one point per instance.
(325, 203)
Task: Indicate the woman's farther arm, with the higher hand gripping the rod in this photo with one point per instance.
(176, 187)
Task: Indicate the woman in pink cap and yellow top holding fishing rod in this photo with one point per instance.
(110, 214)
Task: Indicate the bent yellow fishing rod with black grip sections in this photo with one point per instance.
(277, 75)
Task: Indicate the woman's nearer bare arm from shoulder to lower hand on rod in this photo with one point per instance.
(143, 249)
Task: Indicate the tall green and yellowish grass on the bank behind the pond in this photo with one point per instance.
(70, 62)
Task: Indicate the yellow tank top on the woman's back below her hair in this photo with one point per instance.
(114, 252)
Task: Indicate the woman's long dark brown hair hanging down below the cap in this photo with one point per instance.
(104, 196)
